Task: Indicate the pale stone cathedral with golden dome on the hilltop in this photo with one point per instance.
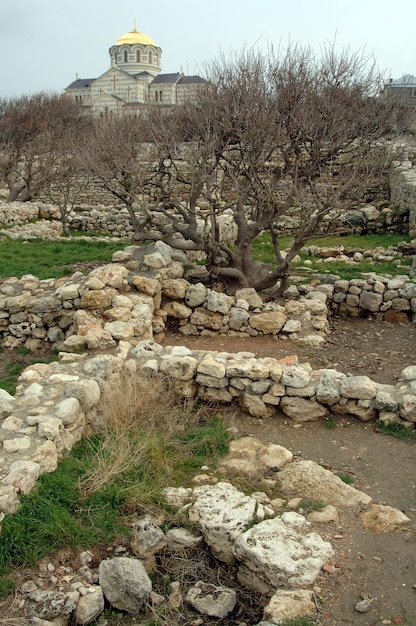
(133, 79)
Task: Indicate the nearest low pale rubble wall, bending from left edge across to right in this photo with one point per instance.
(56, 404)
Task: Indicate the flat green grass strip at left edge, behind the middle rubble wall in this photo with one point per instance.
(50, 259)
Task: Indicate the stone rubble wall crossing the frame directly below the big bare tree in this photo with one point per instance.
(143, 293)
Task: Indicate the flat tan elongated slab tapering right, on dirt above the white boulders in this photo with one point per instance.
(310, 480)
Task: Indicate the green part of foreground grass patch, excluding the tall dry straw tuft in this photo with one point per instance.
(61, 513)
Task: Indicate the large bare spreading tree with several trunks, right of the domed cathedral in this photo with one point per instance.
(264, 137)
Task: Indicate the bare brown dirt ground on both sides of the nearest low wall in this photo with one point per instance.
(382, 567)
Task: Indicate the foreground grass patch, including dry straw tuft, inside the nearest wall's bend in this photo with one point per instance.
(140, 446)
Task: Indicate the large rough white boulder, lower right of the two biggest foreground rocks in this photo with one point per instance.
(280, 552)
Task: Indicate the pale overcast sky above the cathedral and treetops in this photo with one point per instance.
(45, 43)
